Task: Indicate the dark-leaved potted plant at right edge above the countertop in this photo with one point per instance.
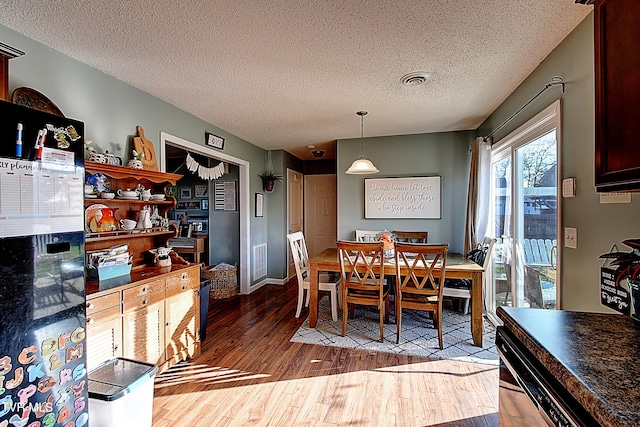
(628, 267)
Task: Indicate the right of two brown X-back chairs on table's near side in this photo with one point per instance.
(419, 285)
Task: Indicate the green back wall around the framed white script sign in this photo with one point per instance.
(446, 154)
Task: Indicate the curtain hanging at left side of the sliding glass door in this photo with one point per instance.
(478, 194)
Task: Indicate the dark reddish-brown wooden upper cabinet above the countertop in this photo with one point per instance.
(617, 76)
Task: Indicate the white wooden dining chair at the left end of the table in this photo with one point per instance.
(326, 282)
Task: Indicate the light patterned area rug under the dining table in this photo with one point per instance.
(418, 336)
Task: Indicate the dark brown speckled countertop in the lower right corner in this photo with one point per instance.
(594, 355)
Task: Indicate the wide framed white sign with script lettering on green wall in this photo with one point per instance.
(409, 197)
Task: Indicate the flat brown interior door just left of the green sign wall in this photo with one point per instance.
(321, 212)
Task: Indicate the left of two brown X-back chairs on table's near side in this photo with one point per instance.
(363, 283)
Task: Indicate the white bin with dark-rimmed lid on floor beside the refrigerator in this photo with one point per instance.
(121, 394)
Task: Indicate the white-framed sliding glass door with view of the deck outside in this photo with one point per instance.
(525, 215)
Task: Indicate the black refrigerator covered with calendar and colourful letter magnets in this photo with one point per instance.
(43, 374)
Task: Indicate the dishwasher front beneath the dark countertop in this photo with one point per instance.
(529, 395)
